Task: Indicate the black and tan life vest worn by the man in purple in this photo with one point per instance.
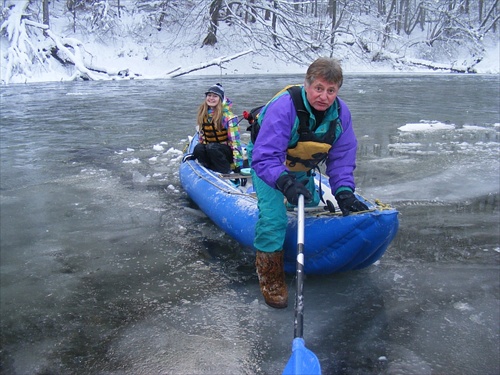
(311, 148)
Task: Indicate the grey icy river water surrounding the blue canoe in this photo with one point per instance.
(108, 268)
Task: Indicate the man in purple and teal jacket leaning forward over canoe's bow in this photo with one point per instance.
(283, 157)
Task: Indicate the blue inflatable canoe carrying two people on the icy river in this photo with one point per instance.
(332, 243)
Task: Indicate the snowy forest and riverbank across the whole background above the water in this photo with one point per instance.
(47, 40)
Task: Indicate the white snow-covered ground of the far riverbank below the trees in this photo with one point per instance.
(151, 54)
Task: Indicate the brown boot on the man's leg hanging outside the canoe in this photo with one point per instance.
(271, 272)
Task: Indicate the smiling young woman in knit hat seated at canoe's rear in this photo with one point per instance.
(219, 145)
